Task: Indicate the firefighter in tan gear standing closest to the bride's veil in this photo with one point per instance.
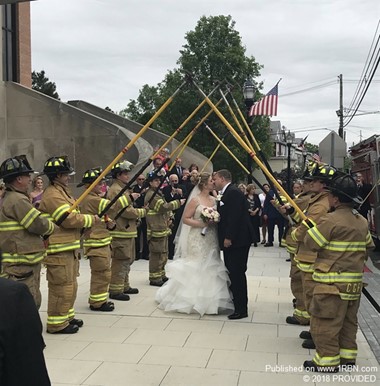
(158, 221)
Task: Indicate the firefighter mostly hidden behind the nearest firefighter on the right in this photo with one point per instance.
(318, 206)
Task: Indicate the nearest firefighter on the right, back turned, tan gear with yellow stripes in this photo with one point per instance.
(341, 239)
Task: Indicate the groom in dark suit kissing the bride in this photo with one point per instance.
(235, 235)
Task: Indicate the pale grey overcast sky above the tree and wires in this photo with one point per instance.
(104, 51)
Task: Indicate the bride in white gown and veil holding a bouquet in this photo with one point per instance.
(198, 277)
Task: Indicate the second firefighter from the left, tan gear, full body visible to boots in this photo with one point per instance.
(63, 255)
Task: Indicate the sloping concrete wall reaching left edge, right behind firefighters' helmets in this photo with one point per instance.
(34, 124)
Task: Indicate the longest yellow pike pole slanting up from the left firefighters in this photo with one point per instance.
(120, 155)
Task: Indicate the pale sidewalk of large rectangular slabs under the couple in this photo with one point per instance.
(138, 344)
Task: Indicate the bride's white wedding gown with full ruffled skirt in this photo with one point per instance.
(198, 280)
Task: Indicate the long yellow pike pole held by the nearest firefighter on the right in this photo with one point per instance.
(251, 153)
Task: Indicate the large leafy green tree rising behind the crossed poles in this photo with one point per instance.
(213, 52)
